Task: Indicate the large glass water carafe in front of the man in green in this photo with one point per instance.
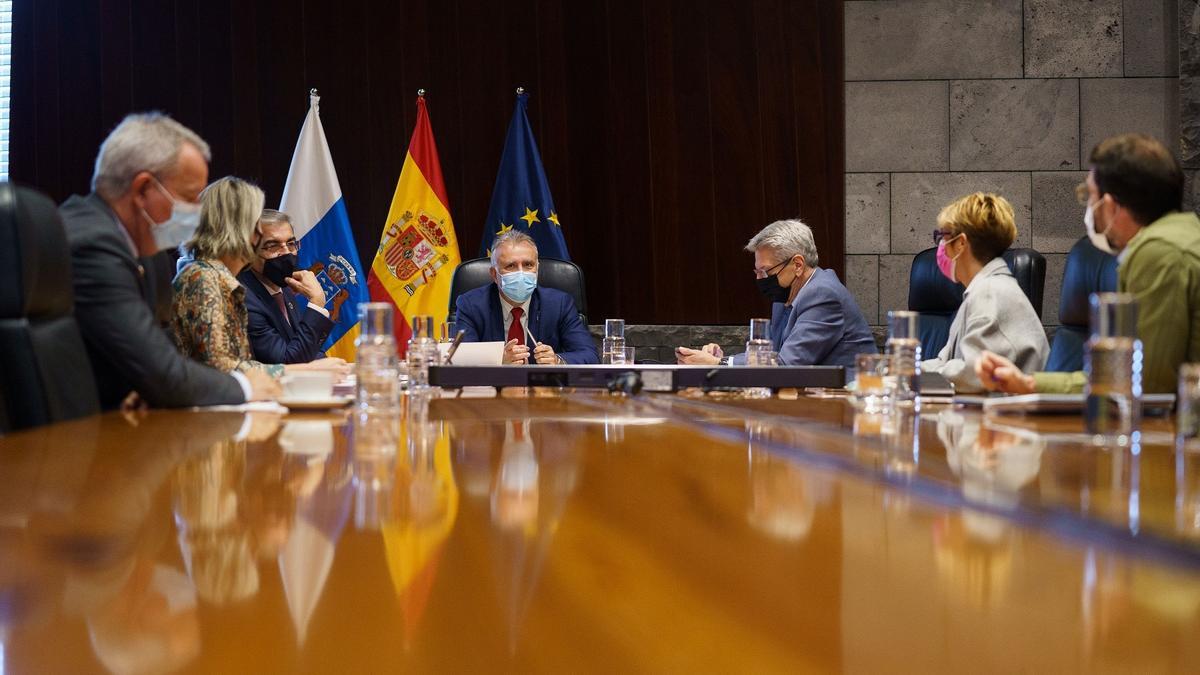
(1113, 366)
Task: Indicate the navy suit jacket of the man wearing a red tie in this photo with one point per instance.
(553, 320)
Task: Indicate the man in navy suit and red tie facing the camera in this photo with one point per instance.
(537, 322)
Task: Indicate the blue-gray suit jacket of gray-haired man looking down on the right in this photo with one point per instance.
(823, 327)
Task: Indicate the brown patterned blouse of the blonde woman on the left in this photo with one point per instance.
(209, 319)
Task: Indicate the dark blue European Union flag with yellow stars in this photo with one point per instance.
(521, 199)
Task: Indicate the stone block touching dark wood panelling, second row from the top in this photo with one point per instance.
(897, 127)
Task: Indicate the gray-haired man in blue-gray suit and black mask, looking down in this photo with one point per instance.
(814, 319)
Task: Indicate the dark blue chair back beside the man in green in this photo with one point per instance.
(1089, 271)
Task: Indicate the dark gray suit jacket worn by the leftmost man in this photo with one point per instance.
(128, 348)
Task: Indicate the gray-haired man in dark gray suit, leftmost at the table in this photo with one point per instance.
(146, 188)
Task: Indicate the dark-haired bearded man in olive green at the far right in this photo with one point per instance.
(1133, 199)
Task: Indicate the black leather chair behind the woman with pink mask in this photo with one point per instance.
(938, 298)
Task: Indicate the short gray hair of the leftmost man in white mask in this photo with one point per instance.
(142, 142)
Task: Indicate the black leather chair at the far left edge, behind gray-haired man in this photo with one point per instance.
(46, 373)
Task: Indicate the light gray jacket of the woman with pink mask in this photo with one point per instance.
(995, 315)
